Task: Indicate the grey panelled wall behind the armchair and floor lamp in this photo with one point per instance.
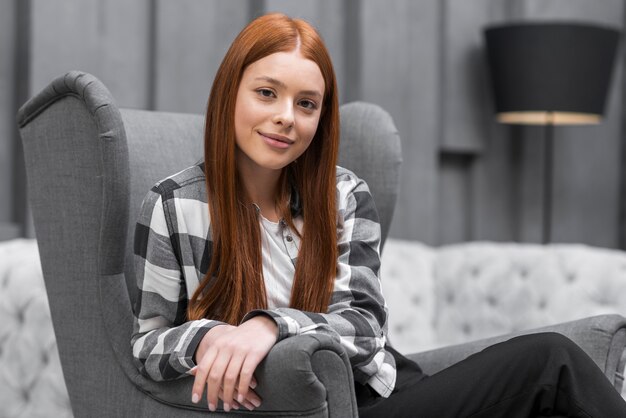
(464, 176)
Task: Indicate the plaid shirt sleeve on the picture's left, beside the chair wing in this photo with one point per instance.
(163, 341)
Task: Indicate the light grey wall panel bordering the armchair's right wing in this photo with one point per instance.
(400, 72)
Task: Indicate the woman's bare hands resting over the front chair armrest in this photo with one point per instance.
(226, 359)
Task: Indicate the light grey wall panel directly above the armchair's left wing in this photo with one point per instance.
(106, 38)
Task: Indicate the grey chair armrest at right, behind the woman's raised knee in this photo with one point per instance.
(602, 337)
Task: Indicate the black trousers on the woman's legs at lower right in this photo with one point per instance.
(538, 375)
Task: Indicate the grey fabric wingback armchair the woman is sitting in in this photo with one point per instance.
(89, 164)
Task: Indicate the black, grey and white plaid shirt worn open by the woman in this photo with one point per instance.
(172, 254)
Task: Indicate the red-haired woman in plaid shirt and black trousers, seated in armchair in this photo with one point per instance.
(269, 239)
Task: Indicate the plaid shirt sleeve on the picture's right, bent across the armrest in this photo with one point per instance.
(357, 314)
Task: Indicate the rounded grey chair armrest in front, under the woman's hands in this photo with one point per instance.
(306, 375)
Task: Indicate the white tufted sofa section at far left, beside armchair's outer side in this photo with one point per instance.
(31, 380)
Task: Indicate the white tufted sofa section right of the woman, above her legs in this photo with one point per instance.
(465, 292)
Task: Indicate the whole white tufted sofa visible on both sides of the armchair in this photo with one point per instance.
(436, 297)
